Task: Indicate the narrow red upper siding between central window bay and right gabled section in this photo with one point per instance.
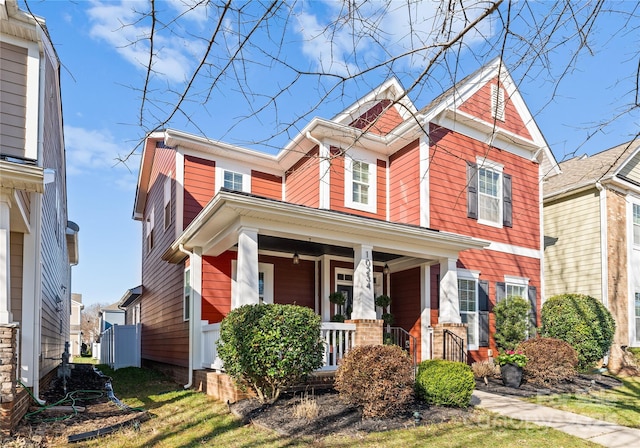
(404, 185)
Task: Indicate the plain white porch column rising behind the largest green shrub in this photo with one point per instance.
(247, 268)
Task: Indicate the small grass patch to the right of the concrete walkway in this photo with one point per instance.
(620, 405)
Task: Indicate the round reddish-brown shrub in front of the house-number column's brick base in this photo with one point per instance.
(376, 378)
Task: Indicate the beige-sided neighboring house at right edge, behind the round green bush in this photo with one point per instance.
(592, 236)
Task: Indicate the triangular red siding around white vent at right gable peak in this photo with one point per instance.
(479, 105)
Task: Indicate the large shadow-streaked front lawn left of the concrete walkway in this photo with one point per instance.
(188, 419)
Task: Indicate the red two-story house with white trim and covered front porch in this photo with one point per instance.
(439, 208)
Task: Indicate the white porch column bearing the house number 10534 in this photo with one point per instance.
(363, 293)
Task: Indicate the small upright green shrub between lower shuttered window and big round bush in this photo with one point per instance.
(511, 322)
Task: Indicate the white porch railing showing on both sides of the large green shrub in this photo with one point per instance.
(338, 339)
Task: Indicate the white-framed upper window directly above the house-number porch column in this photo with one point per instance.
(360, 185)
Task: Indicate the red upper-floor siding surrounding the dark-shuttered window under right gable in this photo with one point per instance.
(449, 152)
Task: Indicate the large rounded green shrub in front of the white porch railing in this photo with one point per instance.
(269, 347)
